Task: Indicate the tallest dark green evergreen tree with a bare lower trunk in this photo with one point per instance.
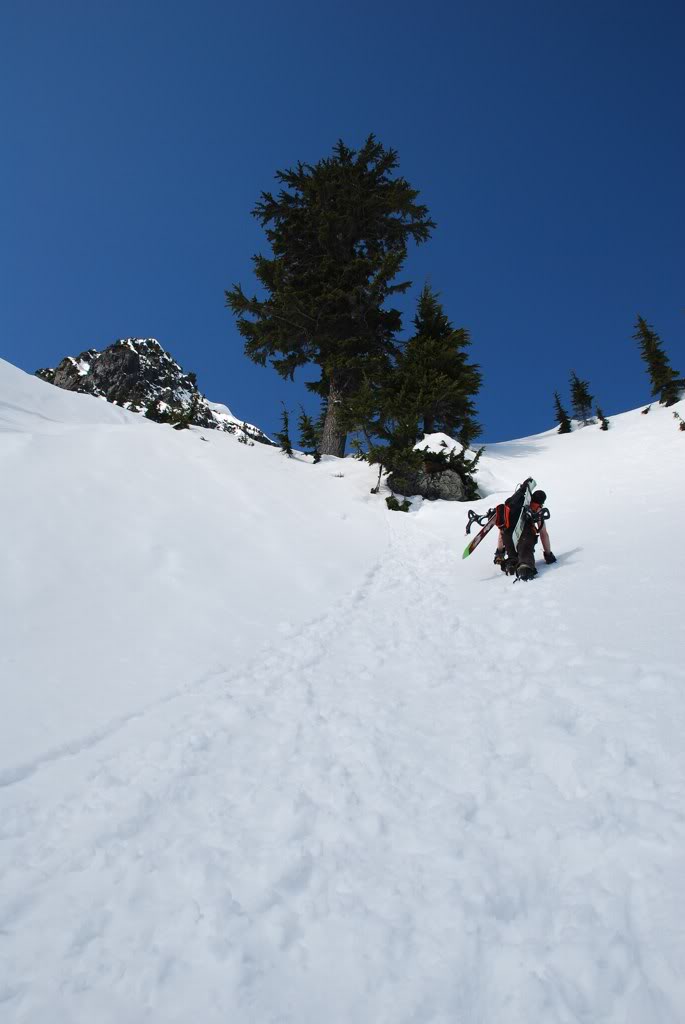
(339, 233)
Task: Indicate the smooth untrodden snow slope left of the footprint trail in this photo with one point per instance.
(149, 554)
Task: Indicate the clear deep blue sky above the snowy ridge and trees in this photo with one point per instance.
(547, 140)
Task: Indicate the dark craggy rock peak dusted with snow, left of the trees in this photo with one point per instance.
(140, 375)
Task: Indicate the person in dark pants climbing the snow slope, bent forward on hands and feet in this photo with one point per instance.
(521, 561)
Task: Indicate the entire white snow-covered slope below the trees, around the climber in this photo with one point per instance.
(271, 753)
